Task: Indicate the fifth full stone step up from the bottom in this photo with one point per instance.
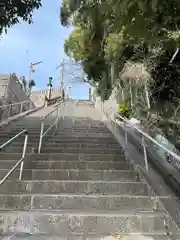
(101, 165)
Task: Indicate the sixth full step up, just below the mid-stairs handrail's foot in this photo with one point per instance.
(65, 157)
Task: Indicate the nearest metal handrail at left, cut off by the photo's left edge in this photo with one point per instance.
(21, 161)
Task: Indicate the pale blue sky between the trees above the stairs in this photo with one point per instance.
(41, 41)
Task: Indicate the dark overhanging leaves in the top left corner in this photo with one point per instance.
(12, 11)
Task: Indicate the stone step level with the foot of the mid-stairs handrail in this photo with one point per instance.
(47, 149)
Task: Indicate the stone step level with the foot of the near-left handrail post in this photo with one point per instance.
(73, 174)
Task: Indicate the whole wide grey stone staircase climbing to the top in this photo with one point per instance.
(81, 187)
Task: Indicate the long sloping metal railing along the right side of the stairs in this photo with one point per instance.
(146, 140)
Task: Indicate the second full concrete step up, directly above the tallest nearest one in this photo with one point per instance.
(76, 202)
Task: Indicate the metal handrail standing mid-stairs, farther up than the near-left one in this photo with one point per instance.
(56, 113)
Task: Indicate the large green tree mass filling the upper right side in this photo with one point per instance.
(129, 43)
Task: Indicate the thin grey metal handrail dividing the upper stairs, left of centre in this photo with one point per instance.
(42, 133)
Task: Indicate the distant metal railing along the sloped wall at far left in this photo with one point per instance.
(13, 109)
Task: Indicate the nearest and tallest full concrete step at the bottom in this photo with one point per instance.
(76, 226)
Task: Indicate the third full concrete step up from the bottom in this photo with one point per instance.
(76, 187)
